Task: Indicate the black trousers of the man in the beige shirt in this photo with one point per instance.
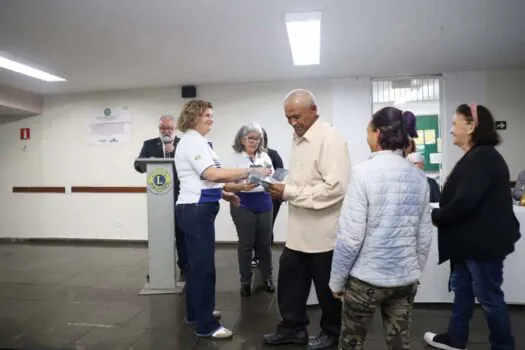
(296, 272)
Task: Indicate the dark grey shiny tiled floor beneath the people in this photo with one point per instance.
(82, 297)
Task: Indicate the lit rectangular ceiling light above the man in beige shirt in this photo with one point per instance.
(304, 34)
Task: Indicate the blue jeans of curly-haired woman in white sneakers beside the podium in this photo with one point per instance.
(197, 221)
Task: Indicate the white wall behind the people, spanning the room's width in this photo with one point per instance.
(58, 153)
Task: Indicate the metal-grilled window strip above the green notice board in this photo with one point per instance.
(405, 90)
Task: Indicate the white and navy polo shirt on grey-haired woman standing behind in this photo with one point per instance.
(256, 199)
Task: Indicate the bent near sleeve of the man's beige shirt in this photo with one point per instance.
(334, 165)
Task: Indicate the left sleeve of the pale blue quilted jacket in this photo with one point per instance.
(350, 233)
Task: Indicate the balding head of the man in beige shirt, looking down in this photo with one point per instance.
(301, 110)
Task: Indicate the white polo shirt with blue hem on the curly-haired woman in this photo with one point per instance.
(192, 157)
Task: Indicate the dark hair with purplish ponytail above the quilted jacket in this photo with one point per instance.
(395, 127)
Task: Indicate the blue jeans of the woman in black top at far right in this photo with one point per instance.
(480, 280)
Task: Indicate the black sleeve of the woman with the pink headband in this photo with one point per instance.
(472, 186)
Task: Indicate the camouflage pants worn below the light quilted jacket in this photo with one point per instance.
(359, 305)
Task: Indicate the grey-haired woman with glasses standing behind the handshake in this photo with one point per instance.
(253, 218)
